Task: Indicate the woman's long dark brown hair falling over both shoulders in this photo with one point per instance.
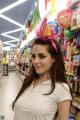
(57, 71)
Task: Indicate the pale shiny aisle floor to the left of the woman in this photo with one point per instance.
(9, 88)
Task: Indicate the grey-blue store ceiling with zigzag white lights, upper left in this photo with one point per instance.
(13, 18)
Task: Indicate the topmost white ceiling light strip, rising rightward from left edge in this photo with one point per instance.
(12, 6)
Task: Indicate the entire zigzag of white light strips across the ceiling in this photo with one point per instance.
(14, 39)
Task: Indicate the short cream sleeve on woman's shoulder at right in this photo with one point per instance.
(62, 92)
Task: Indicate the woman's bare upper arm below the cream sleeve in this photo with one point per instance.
(63, 110)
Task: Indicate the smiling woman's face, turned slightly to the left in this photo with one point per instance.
(41, 59)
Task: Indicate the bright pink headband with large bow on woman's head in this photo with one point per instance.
(45, 32)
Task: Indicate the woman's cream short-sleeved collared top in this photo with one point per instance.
(33, 105)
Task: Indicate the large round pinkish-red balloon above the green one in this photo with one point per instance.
(64, 18)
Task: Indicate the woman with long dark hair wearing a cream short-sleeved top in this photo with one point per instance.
(45, 91)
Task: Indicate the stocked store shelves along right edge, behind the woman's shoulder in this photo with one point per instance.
(73, 63)
